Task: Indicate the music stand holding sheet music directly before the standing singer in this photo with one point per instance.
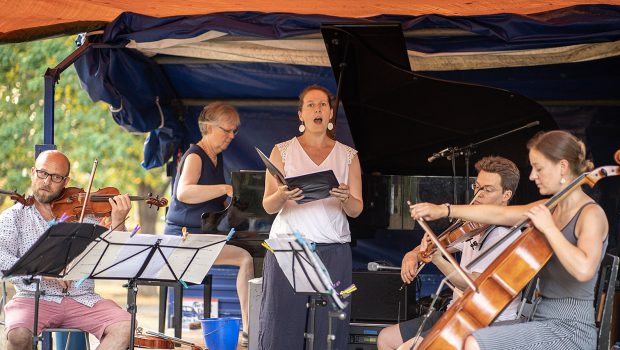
(307, 274)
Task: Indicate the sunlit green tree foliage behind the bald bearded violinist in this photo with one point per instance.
(83, 129)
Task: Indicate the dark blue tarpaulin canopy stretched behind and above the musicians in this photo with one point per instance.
(157, 73)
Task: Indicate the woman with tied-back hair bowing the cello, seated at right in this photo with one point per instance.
(577, 233)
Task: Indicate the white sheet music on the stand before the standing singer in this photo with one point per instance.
(305, 277)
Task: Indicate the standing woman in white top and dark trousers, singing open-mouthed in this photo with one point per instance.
(283, 313)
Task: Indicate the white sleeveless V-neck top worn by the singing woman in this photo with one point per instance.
(324, 220)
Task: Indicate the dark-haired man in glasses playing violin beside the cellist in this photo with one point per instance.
(496, 183)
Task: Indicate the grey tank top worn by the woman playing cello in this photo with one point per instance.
(556, 282)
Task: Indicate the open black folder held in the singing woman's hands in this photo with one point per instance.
(314, 186)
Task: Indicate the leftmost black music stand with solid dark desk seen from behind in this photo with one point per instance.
(49, 256)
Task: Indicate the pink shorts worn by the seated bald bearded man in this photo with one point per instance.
(68, 314)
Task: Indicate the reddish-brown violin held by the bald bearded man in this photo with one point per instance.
(71, 202)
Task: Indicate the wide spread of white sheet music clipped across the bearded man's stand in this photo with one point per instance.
(124, 256)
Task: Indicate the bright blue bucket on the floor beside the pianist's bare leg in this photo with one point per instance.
(221, 333)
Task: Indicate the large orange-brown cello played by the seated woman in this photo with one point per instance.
(504, 279)
